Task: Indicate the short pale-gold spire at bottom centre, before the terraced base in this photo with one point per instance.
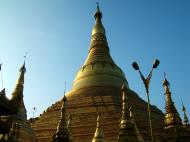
(99, 134)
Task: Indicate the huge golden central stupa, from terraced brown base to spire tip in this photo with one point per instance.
(97, 85)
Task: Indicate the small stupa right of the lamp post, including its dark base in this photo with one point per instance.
(174, 130)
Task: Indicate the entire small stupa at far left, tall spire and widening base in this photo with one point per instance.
(22, 130)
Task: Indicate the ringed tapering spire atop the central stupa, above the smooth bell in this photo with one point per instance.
(99, 50)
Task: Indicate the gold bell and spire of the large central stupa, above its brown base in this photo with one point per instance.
(99, 68)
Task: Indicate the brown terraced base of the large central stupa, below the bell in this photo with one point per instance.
(83, 108)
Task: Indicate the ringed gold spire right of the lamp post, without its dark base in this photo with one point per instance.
(172, 117)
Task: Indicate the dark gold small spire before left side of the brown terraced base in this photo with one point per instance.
(62, 133)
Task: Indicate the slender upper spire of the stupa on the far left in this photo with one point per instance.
(17, 95)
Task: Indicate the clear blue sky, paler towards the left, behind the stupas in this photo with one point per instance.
(56, 34)
